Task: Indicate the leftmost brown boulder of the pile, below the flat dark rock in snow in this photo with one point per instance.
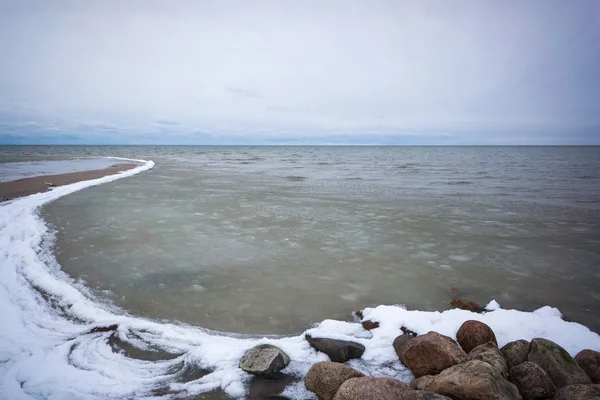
(325, 378)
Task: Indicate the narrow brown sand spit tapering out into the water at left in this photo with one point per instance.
(26, 186)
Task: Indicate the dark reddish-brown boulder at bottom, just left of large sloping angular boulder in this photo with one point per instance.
(532, 381)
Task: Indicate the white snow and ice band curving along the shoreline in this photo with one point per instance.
(46, 349)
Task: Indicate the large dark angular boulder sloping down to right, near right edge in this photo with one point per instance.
(558, 364)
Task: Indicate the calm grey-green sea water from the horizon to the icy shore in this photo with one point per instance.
(273, 239)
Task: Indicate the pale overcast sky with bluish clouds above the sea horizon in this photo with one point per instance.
(300, 72)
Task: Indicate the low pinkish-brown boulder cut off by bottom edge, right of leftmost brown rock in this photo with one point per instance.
(370, 388)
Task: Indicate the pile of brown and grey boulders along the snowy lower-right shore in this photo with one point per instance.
(471, 368)
